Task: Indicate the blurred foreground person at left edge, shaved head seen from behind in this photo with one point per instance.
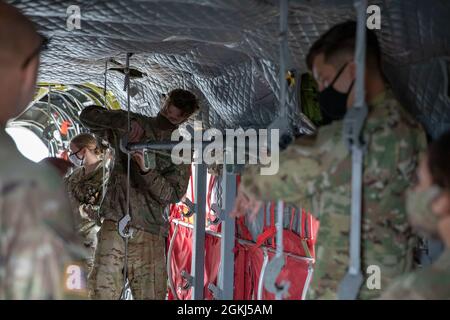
(39, 248)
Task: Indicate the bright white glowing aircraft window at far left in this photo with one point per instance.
(28, 143)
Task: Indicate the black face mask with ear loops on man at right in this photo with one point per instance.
(333, 104)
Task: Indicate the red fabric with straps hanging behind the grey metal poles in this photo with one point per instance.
(249, 258)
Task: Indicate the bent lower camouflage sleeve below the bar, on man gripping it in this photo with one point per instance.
(168, 186)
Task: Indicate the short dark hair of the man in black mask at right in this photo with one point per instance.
(341, 39)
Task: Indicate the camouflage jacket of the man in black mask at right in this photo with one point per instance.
(315, 173)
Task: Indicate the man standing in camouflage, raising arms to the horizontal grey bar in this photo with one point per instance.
(150, 192)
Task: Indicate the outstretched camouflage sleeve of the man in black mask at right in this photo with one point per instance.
(293, 181)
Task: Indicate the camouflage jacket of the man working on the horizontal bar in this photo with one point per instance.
(150, 193)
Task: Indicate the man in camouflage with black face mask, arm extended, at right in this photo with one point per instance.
(315, 172)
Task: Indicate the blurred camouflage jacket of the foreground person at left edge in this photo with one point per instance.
(42, 252)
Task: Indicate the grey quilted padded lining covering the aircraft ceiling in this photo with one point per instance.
(227, 51)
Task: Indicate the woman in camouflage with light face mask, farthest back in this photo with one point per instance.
(85, 187)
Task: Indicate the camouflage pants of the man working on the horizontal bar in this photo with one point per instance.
(146, 265)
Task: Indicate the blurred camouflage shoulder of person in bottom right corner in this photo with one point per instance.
(430, 283)
